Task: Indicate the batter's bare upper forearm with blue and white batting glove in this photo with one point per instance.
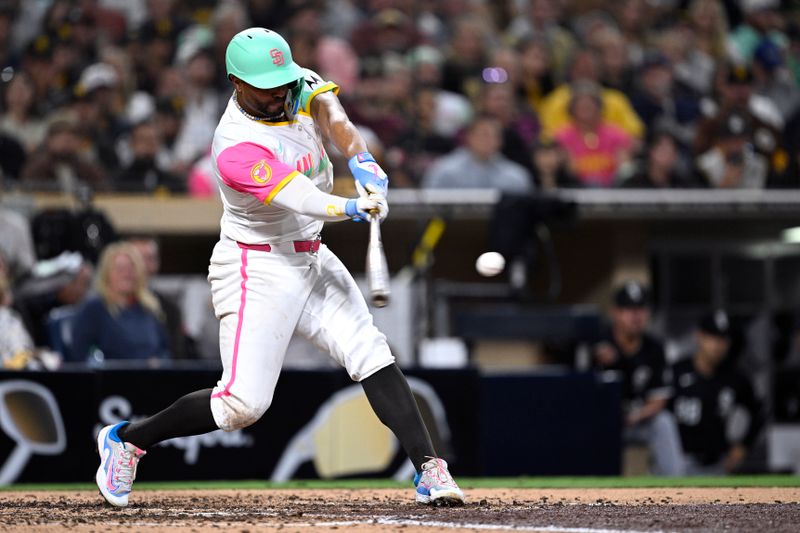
(337, 128)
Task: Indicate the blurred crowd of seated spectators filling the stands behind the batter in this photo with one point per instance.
(124, 95)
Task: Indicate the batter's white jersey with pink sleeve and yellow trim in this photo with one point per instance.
(253, 160)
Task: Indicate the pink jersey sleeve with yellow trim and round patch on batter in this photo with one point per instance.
(253, 169)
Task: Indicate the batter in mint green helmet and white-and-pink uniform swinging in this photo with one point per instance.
(270, 274)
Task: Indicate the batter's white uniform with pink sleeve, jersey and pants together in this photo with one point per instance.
(270, 276)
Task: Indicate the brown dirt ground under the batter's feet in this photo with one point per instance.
(774, 510)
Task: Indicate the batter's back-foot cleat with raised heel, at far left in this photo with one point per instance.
(117, 469)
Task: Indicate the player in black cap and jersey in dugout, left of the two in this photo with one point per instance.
(637, 358)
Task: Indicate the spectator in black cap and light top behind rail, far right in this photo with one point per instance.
(732, 162)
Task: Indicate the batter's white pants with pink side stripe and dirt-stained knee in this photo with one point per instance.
(261, 299)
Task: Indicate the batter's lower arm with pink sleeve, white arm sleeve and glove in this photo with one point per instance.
(253, 169)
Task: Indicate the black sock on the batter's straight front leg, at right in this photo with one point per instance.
(391, 398)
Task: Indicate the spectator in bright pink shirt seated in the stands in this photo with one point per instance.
(598, 152)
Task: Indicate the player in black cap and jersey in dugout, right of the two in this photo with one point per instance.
(718, 415)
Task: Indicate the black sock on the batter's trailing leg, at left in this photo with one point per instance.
(189, 415)
